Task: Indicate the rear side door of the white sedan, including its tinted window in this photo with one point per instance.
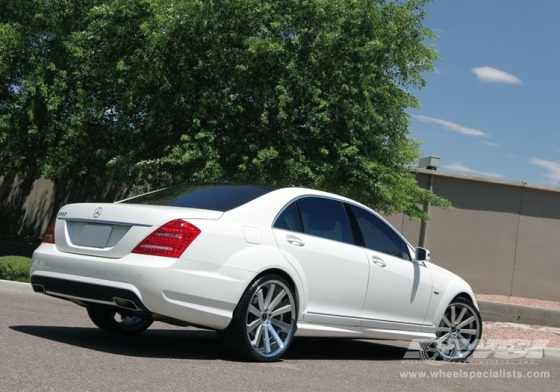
(315, 235)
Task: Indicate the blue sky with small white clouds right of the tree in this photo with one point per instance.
(492, 107)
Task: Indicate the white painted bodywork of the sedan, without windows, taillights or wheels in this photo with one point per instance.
(340, 290)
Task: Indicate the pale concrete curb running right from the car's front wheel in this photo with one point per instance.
(495, 311)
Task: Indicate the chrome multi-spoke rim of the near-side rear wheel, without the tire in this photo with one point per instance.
(270, 319)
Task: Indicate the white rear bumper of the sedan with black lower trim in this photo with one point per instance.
(195, 293)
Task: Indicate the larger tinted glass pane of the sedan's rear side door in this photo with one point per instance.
(325, 218)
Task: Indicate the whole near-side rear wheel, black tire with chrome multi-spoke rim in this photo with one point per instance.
(264, 321)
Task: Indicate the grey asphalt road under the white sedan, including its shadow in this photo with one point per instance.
(50, 345)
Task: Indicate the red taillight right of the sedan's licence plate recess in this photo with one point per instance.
(170, 240)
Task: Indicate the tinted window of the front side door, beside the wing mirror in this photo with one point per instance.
(379, 236)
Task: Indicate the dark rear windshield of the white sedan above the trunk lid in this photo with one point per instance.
(209, 196)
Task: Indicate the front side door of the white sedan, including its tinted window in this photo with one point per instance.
(399, 289)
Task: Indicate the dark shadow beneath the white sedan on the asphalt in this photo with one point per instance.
(203, 344)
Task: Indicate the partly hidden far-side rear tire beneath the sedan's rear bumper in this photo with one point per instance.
(118, 323)
